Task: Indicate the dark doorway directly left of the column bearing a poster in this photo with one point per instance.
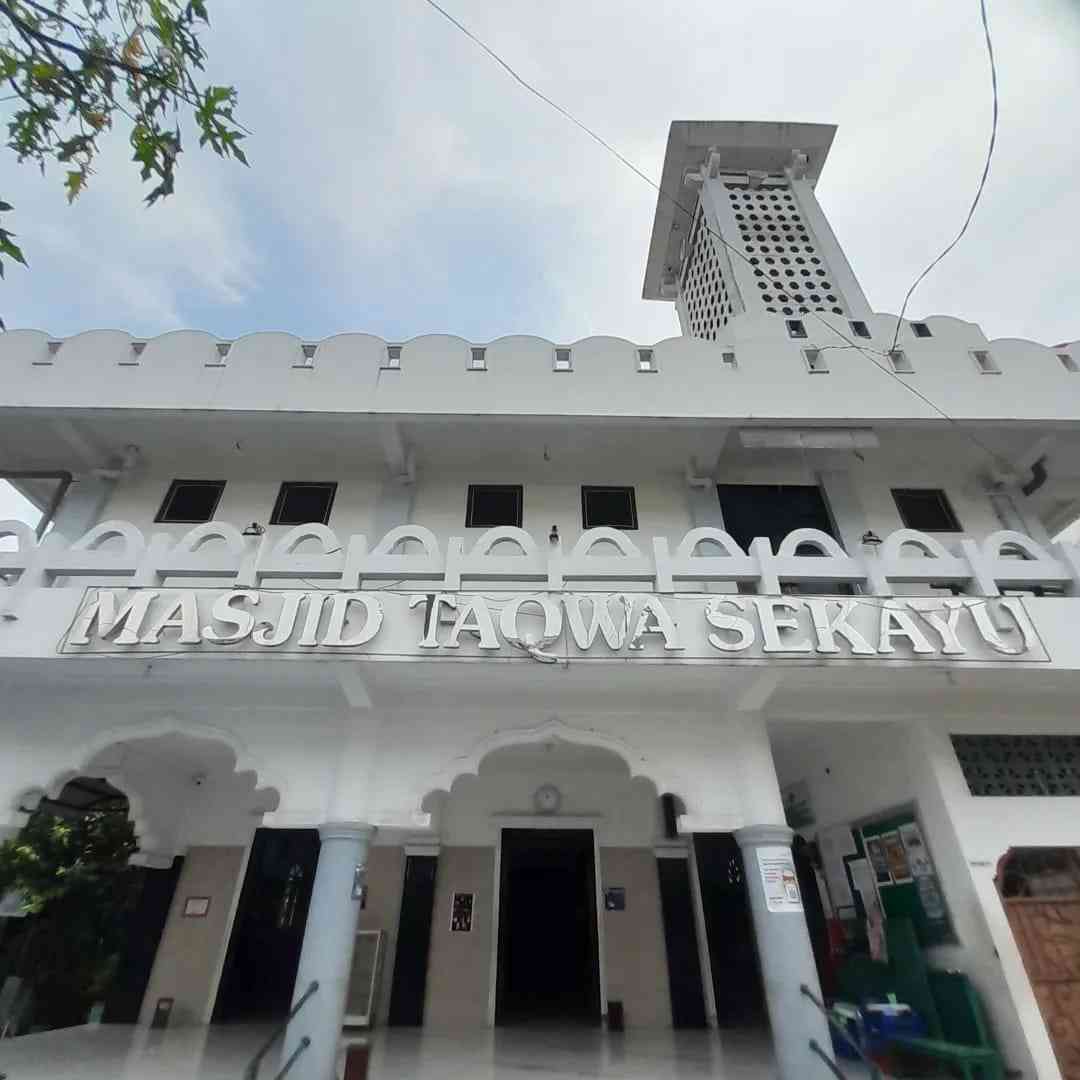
(730, 930)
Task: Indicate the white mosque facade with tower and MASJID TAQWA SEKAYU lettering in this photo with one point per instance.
(437, 736)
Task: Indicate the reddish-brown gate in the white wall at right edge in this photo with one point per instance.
(1041, 890)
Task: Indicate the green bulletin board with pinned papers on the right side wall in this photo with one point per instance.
(907, 880)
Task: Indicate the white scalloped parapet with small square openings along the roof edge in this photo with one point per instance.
(758, 370)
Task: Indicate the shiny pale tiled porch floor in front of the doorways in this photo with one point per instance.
(115, 1052)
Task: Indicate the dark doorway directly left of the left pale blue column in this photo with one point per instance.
(268, 934)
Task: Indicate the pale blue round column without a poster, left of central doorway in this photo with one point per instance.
(327, 956)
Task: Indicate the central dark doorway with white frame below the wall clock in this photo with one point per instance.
(549, 958)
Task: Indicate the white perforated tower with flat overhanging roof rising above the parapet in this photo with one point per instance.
(733, 190)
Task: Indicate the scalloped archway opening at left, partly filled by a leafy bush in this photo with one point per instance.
(169, 801)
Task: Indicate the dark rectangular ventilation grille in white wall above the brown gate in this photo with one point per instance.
(1020, 765)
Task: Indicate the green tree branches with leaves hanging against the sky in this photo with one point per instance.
(75, 69)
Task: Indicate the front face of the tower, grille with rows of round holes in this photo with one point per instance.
(791, 276)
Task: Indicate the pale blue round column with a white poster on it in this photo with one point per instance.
(784, 948)
